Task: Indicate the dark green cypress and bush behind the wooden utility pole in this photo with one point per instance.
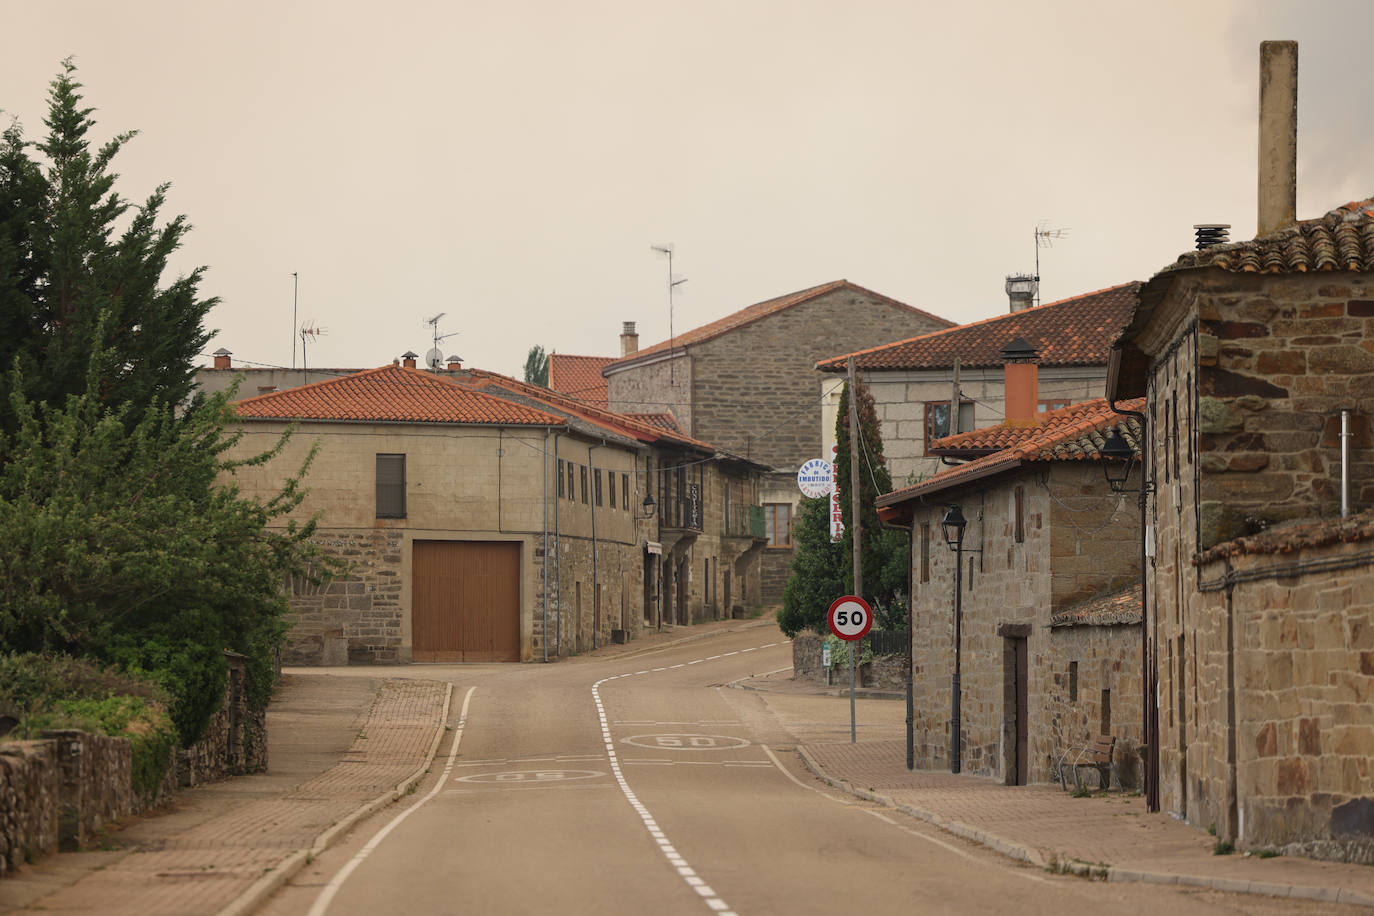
(824, 571)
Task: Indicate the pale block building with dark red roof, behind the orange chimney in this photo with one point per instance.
(912, 381)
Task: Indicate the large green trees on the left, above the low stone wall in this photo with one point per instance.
(123, 538)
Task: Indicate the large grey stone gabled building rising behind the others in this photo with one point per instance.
(745, 384)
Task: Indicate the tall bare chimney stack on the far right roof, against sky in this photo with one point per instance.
(1279, 137)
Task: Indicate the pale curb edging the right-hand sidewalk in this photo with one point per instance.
(1020, 852)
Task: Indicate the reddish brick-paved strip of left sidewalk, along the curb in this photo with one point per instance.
(207, 869)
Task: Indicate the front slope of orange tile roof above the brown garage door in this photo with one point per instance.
(391, 395)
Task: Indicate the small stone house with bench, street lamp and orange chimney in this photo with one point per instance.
(1048, 641)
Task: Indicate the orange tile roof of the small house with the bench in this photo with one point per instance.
(1077, 439)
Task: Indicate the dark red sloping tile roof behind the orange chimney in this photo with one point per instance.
(1075, 332)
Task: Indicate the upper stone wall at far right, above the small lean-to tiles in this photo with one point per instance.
(1280, 358)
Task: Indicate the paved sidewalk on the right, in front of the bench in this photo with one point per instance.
(1111, 838)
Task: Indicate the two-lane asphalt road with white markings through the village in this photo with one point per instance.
(646, 785)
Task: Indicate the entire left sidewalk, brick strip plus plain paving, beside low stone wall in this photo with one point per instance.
(340, 748)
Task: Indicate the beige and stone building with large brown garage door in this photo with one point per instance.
(461, 503)
